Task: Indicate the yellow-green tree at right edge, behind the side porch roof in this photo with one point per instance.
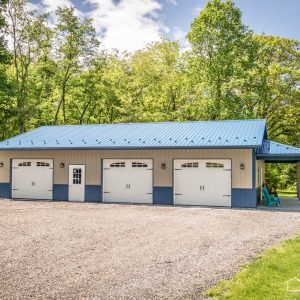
(274, 90)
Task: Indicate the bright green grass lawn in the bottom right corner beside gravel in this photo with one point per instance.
(265, 277)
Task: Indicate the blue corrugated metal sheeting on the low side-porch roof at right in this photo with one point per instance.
(273, 148)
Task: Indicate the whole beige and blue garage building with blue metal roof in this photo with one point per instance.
(213, 163)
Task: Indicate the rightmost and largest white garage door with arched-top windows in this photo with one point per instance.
(202, 182)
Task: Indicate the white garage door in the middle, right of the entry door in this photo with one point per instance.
(127, 180)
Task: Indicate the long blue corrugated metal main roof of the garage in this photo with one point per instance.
(209, 134)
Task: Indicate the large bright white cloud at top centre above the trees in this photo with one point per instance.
(127, 24)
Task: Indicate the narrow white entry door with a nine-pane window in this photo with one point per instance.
(76, 182)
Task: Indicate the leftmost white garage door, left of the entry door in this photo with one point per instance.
(32, 178)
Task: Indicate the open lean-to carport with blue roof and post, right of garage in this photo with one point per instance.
(273, 152)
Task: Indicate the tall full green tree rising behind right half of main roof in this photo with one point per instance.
(220, 43)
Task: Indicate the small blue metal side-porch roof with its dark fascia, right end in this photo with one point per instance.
(270, 149)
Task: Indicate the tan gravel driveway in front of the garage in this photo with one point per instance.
(52, 250)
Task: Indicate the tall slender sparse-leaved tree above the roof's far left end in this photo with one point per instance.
(27, 32)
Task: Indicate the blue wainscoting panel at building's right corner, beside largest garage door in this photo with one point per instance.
(245, 198)
